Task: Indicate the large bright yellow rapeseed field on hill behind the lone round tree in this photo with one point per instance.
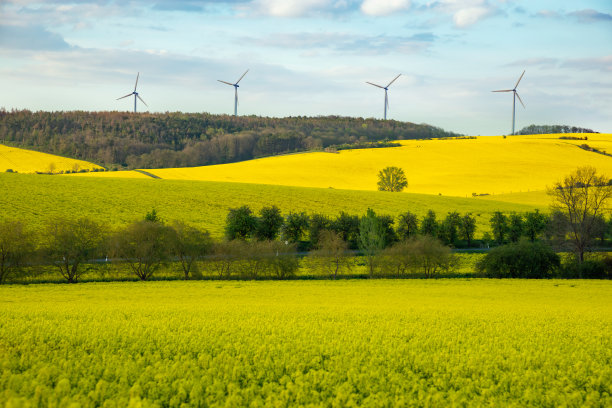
(458, 167)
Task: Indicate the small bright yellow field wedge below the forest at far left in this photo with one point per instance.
(29, 161)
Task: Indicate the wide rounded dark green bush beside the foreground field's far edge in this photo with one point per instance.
(520, 260)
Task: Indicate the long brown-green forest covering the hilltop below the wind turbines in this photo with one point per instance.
(122, 140)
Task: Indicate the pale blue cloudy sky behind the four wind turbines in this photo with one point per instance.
(313, 58)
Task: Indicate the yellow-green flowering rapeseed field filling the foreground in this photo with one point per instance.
(348, 343)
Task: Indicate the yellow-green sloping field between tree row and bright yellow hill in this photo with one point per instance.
(117, 201)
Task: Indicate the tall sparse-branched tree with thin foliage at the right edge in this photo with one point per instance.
(581, 197)
